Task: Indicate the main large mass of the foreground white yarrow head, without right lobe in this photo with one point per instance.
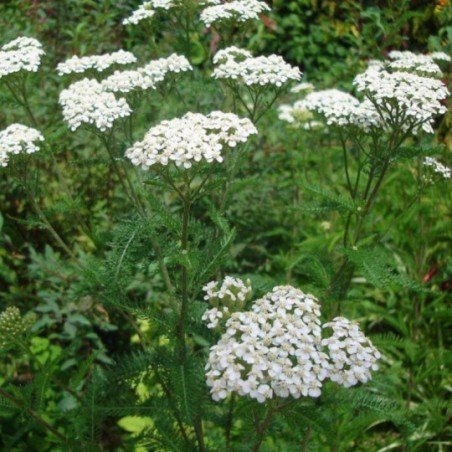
(272, 350)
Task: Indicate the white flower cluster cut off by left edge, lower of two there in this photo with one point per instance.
(18, 138)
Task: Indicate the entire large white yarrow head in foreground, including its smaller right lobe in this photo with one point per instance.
(276, 349)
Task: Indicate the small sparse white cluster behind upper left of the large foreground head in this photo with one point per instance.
(232, 296)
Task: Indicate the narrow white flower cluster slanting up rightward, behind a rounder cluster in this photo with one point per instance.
(146, 77)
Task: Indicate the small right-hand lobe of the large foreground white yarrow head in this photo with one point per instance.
(352, 354)
